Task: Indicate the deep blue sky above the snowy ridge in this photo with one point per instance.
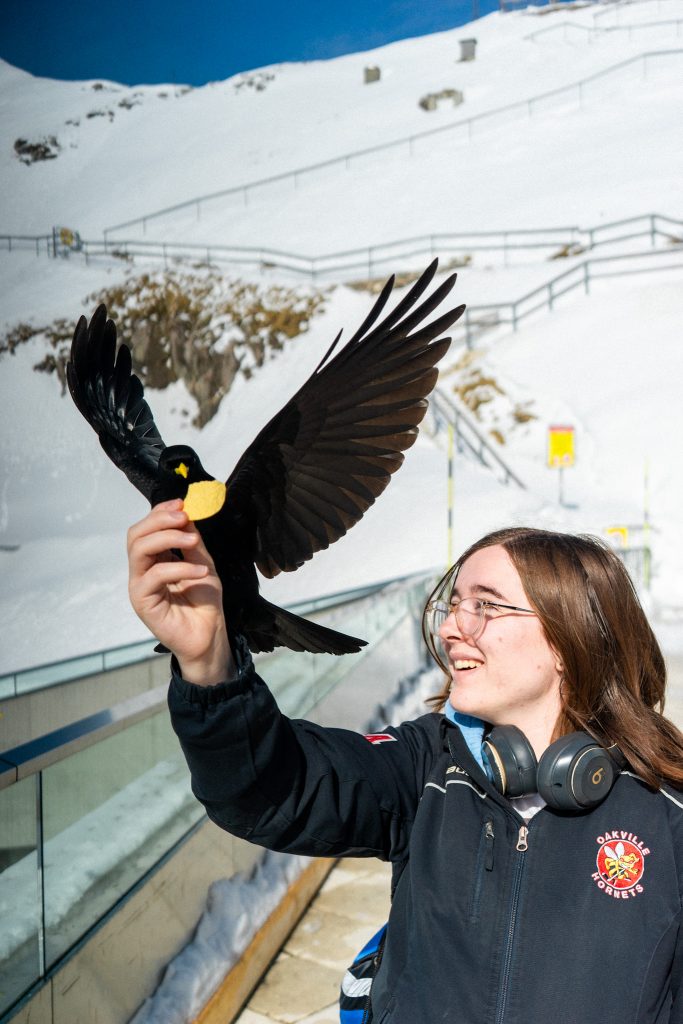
(140, 42)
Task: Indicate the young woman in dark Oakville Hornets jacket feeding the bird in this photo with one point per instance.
(513, 906)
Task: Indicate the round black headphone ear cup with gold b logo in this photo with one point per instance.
(576, 774)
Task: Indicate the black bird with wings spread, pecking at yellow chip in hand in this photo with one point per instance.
(310, 475)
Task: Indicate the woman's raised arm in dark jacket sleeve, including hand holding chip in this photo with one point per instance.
(289, 786)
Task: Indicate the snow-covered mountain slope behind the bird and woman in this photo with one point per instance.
(608, 363)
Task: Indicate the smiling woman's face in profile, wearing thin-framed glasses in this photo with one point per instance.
(509, 674)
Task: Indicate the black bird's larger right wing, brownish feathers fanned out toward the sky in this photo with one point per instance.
(316, 468)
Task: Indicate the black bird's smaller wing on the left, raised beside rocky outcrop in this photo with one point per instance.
(111, 398)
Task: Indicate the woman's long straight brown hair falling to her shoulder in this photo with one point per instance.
(614, 672)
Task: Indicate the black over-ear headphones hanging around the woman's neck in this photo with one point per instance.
(574, 774)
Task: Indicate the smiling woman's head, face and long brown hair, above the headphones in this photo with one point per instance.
(589, 648)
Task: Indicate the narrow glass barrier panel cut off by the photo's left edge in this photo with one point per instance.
(20, 891)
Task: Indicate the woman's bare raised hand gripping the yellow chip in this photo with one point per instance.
(180, 602)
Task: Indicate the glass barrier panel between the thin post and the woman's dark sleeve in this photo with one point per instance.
(111, 813)
